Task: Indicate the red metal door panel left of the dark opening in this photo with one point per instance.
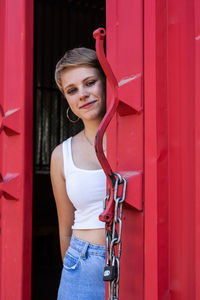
(16, 60)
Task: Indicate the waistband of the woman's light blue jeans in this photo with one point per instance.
(84, 247)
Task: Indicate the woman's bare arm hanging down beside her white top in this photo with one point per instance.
(65, 208)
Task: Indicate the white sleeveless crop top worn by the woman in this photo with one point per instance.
(86, 189)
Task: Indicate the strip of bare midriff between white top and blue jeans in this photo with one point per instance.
(94, 236)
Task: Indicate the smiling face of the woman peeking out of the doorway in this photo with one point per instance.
(84, 90)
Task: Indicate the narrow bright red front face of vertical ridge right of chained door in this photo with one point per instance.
(150, 153)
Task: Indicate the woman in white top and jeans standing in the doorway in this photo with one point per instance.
(79, 183)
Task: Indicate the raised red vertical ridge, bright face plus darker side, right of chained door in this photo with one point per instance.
(156, 186)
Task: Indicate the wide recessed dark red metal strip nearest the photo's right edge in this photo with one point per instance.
(182, 160)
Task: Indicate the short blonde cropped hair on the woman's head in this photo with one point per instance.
(74, 58)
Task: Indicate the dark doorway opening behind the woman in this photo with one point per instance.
(58, 26)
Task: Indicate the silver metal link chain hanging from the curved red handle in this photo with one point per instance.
(113, 239)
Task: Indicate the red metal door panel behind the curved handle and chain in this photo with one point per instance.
(125, 134)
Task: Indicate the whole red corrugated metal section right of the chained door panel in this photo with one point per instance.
(171, 73)
